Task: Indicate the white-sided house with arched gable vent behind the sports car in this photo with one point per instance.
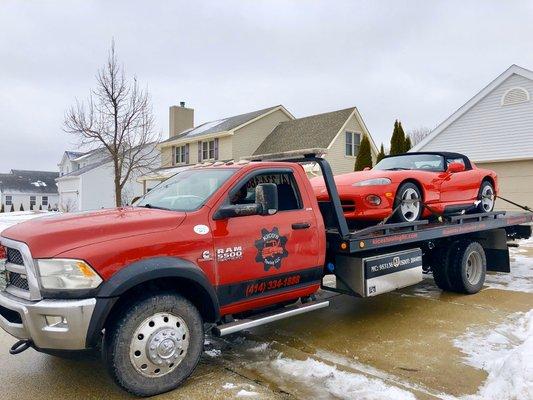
(495, 129)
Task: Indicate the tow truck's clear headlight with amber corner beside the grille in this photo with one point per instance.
(66, 274)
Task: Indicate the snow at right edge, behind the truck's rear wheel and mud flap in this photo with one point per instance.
(520, 279)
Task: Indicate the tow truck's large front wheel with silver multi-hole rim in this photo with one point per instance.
(155, 344)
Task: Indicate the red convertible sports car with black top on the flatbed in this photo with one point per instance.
(417, 185)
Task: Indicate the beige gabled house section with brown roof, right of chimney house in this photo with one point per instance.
(338, 133)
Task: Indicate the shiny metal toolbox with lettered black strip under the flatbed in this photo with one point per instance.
(373, 275)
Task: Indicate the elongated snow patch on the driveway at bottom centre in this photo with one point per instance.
(326, 381)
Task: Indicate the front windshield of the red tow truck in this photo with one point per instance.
(185, 191)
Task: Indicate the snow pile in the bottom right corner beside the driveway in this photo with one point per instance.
(506, 354)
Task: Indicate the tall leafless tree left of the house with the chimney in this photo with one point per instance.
(117, 116)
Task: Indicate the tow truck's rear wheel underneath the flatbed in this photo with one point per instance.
(461, 259)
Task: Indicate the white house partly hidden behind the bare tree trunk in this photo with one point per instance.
(86, 181)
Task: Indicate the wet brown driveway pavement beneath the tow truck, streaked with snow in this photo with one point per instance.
(400, 345)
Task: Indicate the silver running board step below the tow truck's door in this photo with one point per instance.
(262, 319)
